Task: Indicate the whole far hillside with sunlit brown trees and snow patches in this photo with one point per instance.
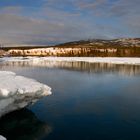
(124, 47)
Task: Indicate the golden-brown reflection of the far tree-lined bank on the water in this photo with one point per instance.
(77, 66)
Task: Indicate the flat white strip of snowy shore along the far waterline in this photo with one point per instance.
(112, 60)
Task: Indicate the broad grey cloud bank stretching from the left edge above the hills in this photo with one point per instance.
(48, 26)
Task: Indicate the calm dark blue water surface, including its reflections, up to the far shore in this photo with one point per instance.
(89, 102)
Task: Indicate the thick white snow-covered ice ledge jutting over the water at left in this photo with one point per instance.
(17, 91)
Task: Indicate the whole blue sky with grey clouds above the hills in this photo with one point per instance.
(47, 22)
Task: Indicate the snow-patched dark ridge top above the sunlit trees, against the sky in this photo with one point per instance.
(120, 42)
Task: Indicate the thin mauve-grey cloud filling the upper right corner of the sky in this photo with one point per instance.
(126, 14)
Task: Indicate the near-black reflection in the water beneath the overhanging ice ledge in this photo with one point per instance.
(23, 125)
